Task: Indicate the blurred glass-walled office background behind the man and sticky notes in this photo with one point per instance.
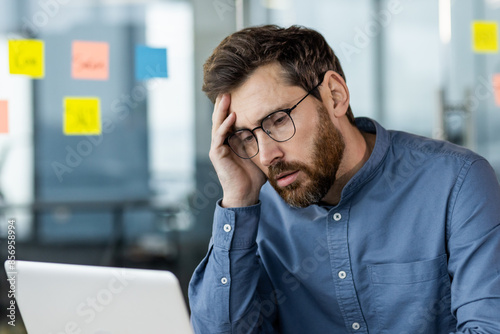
(142, 193)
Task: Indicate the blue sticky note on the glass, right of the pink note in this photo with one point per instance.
(150, 62)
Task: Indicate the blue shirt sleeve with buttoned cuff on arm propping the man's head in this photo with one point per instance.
(223, 292)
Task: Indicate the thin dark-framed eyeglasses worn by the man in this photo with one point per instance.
(278, 125)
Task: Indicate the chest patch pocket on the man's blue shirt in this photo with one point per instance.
(412, 297)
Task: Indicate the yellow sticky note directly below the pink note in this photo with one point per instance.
(82, 116)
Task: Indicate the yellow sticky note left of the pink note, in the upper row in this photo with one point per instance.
(26, 57)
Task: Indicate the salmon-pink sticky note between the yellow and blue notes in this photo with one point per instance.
(90, 60)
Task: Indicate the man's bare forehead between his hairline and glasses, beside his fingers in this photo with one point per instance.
(263, 92)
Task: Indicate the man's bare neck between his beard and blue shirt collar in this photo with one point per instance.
(361, 146)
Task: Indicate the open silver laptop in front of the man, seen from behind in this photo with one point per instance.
(69, 299)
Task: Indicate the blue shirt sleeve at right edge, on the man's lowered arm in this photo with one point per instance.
(474, 249)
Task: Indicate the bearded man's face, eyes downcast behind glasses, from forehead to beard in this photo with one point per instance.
(302, 169)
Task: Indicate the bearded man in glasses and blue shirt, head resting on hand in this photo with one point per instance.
(330, 224)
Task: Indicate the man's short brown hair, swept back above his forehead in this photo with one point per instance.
(303, 54)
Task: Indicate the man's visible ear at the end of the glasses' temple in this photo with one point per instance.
(335, 94)
